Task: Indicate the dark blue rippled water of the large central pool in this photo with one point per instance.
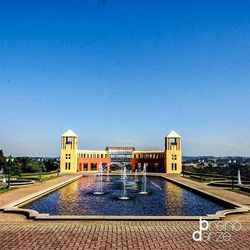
(164, 198)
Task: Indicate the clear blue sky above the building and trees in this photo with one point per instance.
(125, 73)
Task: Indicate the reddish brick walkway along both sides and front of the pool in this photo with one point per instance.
(18, 233)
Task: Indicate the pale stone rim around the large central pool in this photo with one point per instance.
(14, 207)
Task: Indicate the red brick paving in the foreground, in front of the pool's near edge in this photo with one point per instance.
(112, 235)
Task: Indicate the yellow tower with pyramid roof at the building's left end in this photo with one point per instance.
(68, 163)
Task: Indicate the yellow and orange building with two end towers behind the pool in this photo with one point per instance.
(74, 160)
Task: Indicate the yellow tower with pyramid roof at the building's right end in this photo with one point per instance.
(173, 153)
